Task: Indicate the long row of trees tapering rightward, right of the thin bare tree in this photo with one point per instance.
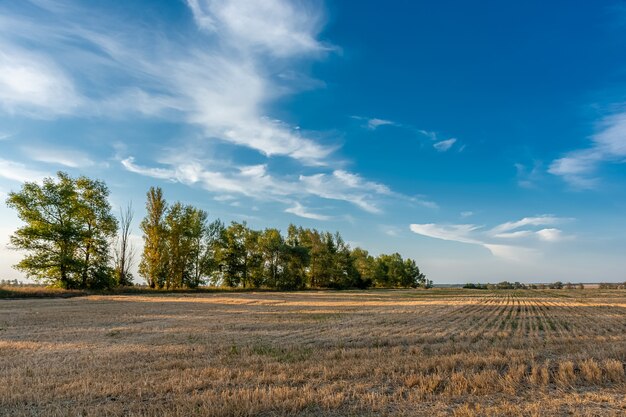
(182, 249)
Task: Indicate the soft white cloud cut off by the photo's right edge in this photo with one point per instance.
(578, 168)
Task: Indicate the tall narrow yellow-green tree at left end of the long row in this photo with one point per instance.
(153, 265)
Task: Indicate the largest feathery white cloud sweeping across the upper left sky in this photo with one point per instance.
(222, 81)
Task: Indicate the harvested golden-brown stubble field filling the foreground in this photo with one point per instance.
(400, 352)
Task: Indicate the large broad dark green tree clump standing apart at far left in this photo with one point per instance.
(68, 227)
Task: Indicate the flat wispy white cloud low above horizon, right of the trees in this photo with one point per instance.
(524, 230)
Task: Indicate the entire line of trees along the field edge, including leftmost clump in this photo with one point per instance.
(73, 240)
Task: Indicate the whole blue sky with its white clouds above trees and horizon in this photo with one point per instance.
(488, 143)
